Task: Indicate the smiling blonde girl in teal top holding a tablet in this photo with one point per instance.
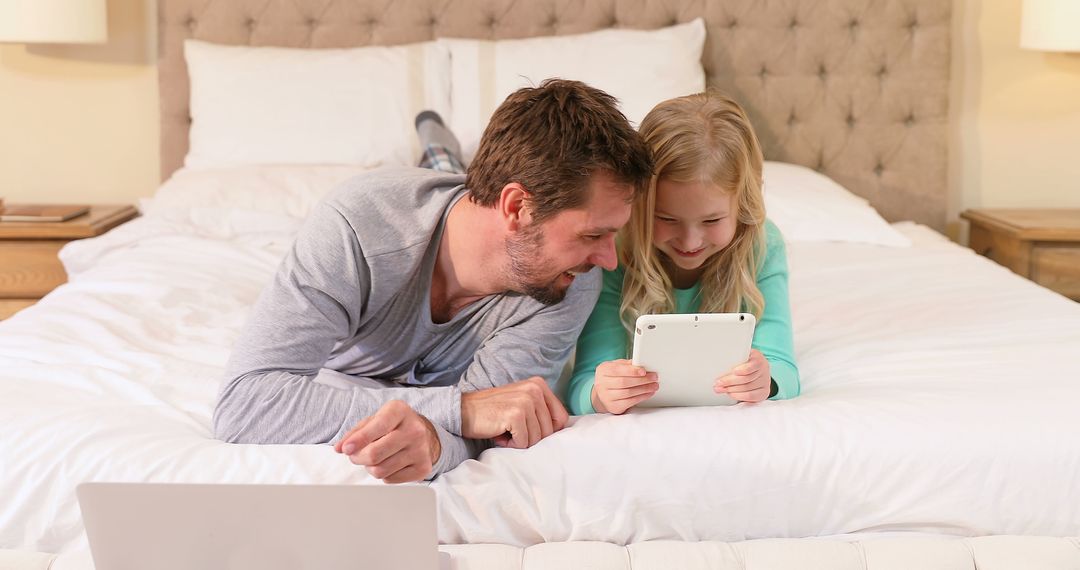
(698, 242)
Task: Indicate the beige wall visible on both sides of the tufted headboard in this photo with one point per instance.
(80, 124)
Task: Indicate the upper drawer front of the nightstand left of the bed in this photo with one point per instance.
(31, 269)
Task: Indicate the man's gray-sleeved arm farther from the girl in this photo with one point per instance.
(316, 301)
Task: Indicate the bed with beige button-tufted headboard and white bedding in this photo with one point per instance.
(937, 428)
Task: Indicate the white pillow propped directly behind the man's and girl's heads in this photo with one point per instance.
(641, 69)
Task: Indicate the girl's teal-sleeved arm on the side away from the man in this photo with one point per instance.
(774, 333)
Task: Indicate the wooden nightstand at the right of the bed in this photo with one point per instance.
(1043, 246)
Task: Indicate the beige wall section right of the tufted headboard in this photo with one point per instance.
(1016, 115)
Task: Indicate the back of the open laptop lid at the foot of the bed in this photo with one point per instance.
(261, 527)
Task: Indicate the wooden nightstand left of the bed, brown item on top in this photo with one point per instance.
(29, 265)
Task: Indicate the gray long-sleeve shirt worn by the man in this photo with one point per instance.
(346, 325)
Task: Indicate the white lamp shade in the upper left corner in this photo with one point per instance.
(53, 21)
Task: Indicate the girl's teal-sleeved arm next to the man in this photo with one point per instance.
(603, 340)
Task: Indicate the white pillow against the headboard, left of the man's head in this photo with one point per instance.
(280, 105)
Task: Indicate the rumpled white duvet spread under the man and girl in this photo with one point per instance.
(940, 396)
